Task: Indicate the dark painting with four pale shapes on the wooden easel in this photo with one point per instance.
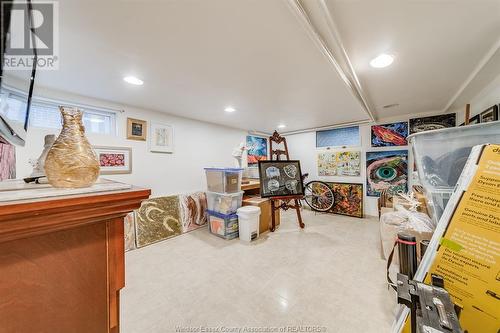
(280, 178)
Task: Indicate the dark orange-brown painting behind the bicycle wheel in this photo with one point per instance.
(348, 199)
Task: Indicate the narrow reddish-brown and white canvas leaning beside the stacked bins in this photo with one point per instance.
(193, 210)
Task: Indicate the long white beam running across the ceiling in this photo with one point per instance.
(353, 85)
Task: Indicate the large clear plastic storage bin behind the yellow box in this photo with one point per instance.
(440, 157)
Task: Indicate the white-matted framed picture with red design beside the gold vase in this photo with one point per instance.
(114, 160)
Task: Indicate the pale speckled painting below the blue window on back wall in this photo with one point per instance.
(346, 163)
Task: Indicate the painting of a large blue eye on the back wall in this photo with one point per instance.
(386, 170)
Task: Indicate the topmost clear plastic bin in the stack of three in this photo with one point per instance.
(224, 180)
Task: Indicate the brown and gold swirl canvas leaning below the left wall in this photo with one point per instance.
(157, 219)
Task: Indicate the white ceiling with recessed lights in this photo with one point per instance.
(198, 56)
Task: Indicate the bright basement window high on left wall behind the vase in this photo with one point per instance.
(45, 113)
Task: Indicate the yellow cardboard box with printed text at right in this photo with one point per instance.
(469, 253)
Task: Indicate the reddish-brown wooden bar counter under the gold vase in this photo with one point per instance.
(62, 260)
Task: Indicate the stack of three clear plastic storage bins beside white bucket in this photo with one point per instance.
(224, 197)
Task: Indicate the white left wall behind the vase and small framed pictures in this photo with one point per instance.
(197, 145)
